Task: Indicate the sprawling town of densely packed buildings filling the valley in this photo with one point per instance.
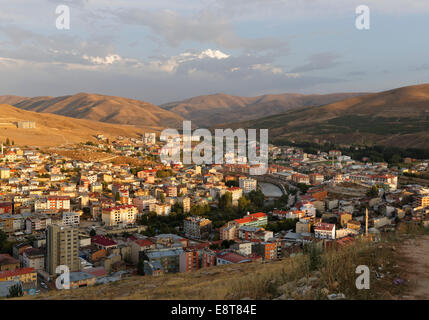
(110, 209)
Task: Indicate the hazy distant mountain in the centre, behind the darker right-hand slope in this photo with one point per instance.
(222, 108)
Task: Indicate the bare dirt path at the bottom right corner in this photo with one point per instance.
(414, 255)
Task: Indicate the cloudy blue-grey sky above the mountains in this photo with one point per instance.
(168, 50)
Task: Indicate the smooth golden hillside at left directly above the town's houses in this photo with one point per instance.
(54, 130)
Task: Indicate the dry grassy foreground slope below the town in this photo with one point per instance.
(313, 275)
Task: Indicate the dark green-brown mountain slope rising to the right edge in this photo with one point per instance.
(398, 117)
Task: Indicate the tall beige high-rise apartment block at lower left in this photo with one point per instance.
(62, 248)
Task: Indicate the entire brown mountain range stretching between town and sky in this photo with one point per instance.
(398, 117)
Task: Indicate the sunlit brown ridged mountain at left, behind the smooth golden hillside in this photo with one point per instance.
(102, 108)
